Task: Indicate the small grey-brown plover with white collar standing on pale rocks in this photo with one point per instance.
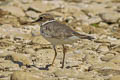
(58, 34)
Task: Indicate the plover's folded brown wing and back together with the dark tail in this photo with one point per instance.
(62, 31)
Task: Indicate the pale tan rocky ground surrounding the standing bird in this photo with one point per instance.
(24, 57)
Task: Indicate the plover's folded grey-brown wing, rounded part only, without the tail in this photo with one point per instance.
(57, 30)
